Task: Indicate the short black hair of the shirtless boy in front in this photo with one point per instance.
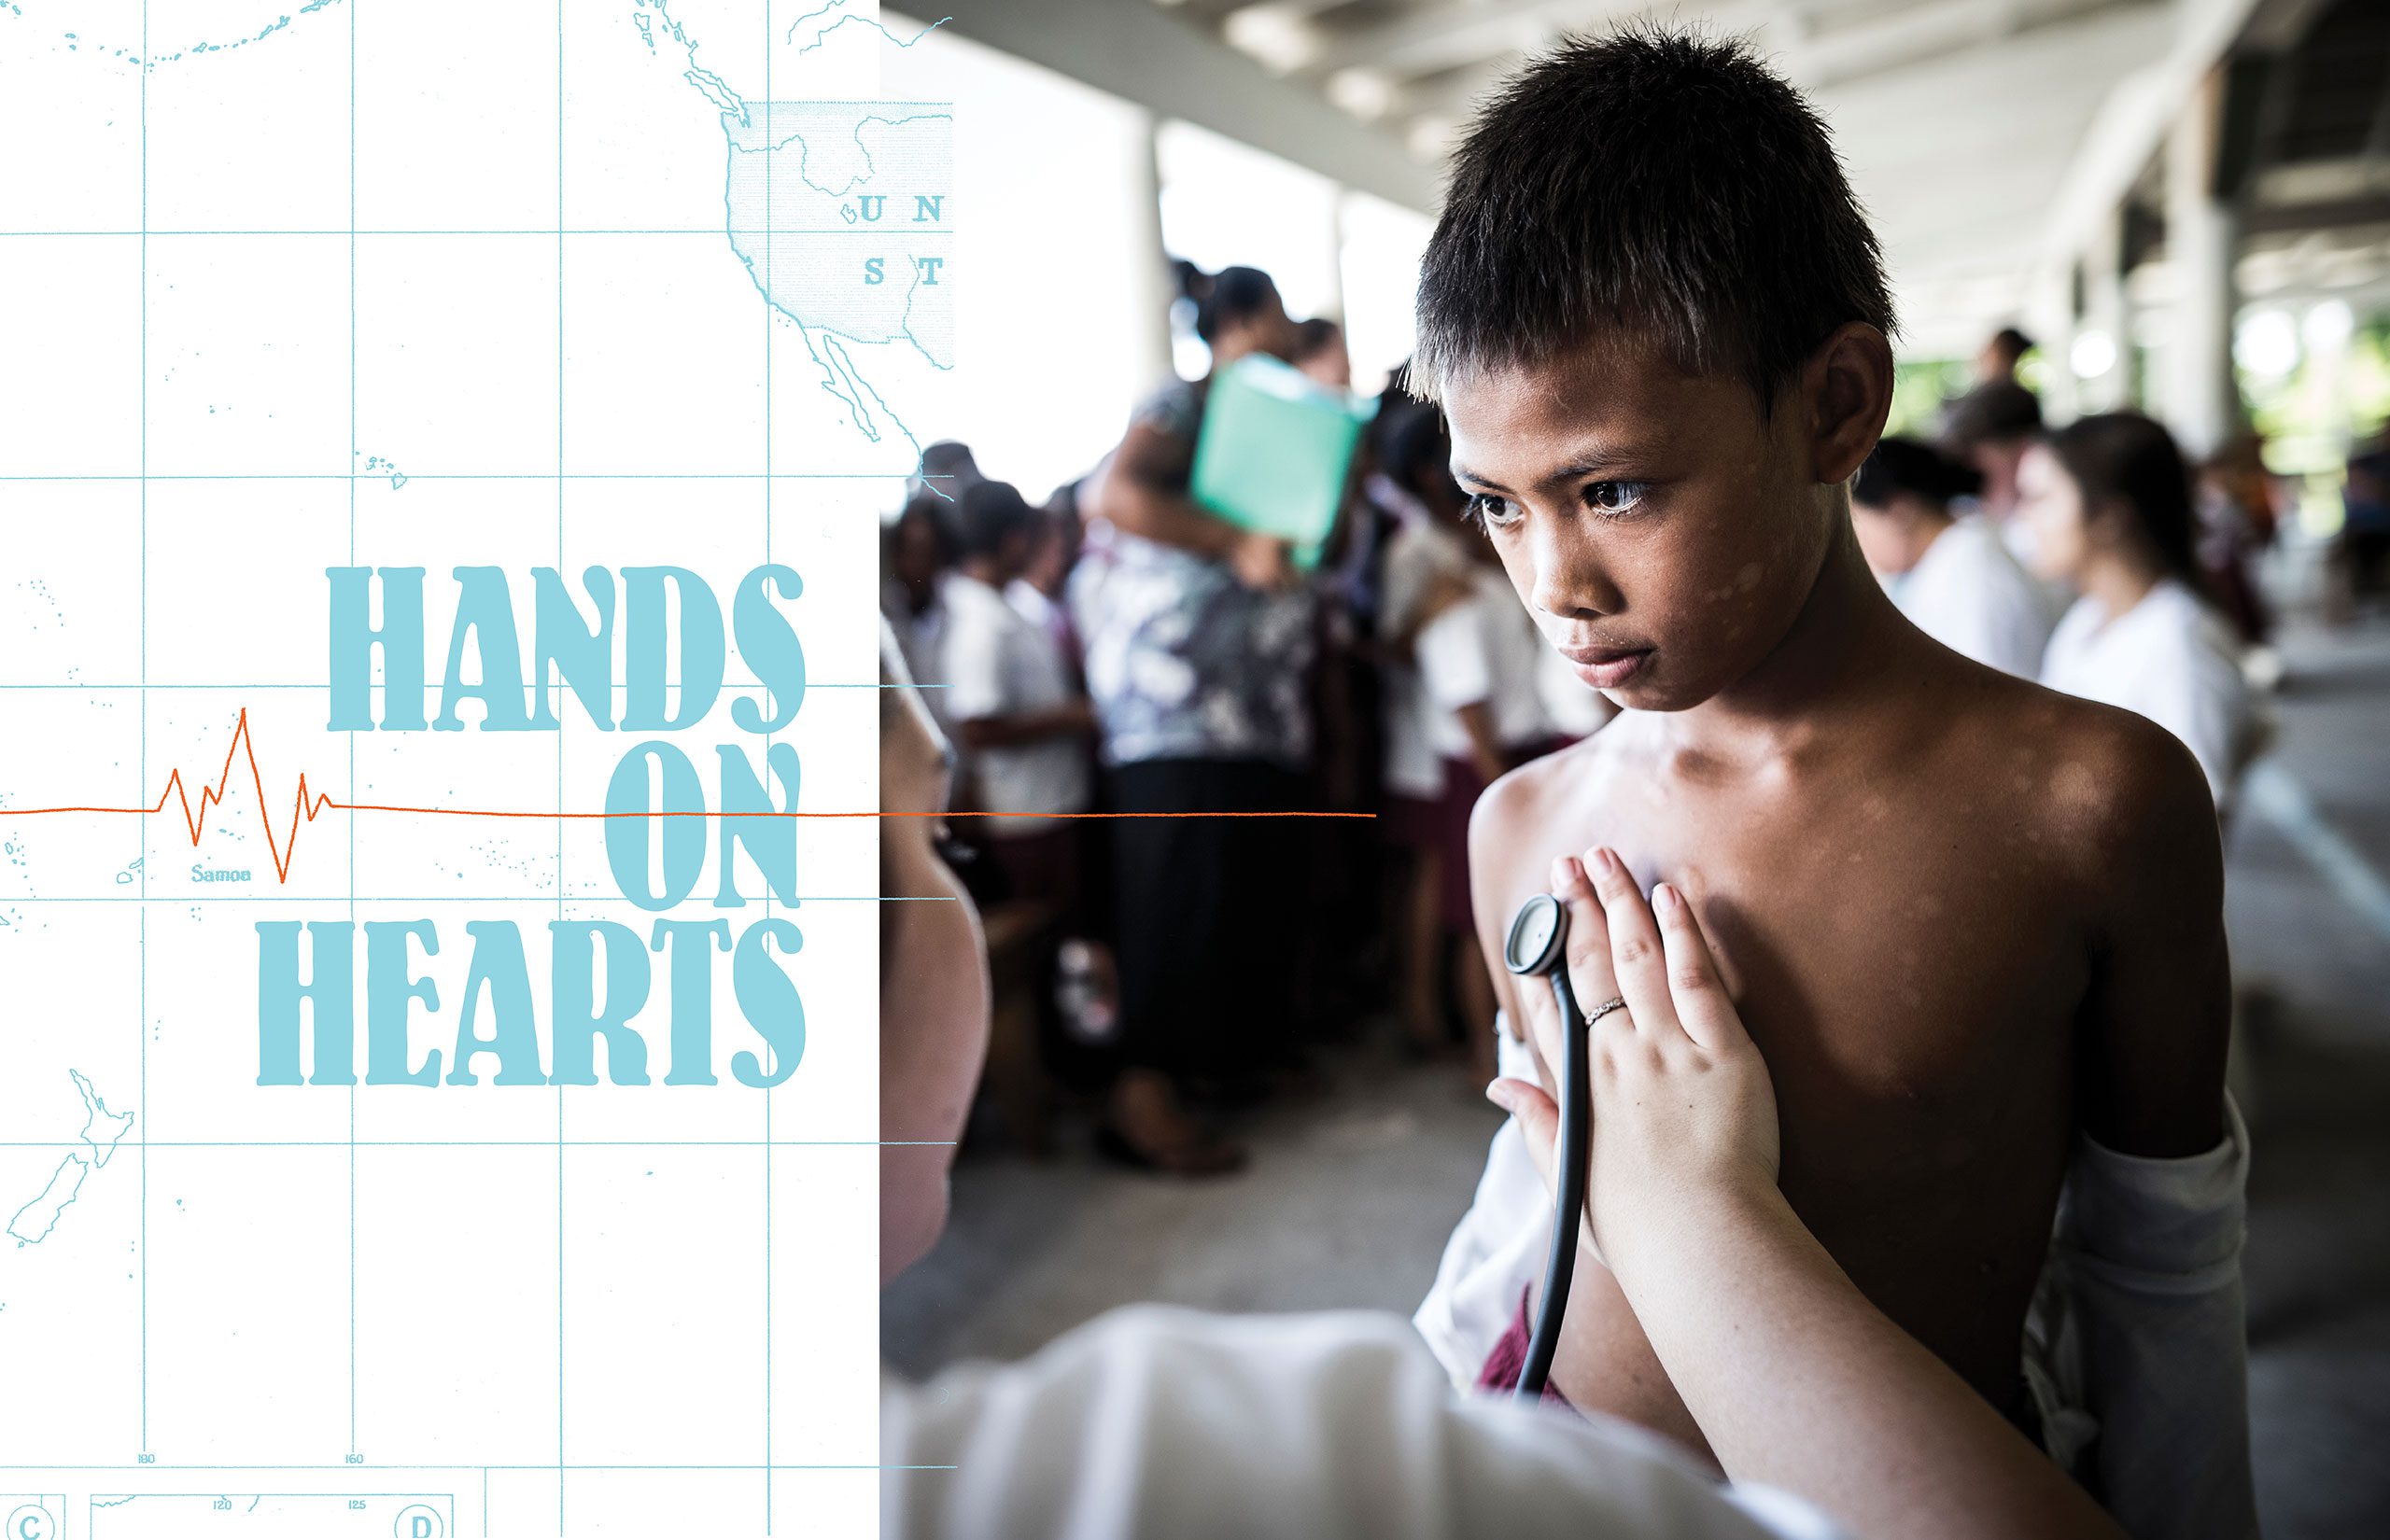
(1653, 183)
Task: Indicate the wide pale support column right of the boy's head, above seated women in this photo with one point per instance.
(2195, 390)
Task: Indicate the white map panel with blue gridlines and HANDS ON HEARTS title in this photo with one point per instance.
(453, 285)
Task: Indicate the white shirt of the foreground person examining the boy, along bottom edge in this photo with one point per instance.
(1165, 1424)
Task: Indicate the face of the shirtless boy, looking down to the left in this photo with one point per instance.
(1660, 531)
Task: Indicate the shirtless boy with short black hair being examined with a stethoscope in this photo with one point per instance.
(1966, 918)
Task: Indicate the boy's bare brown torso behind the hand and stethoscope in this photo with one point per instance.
(1911, 963)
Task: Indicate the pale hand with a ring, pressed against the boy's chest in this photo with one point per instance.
(1684, 1107)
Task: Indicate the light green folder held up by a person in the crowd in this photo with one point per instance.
(1275, 452)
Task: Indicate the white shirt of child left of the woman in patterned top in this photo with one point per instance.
(1000, 665)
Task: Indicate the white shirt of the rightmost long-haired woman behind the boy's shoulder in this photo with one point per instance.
(2171, 660)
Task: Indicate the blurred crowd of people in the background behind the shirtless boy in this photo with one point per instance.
(1122, 651)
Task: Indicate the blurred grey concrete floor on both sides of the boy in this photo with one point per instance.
(1349, 1200)
